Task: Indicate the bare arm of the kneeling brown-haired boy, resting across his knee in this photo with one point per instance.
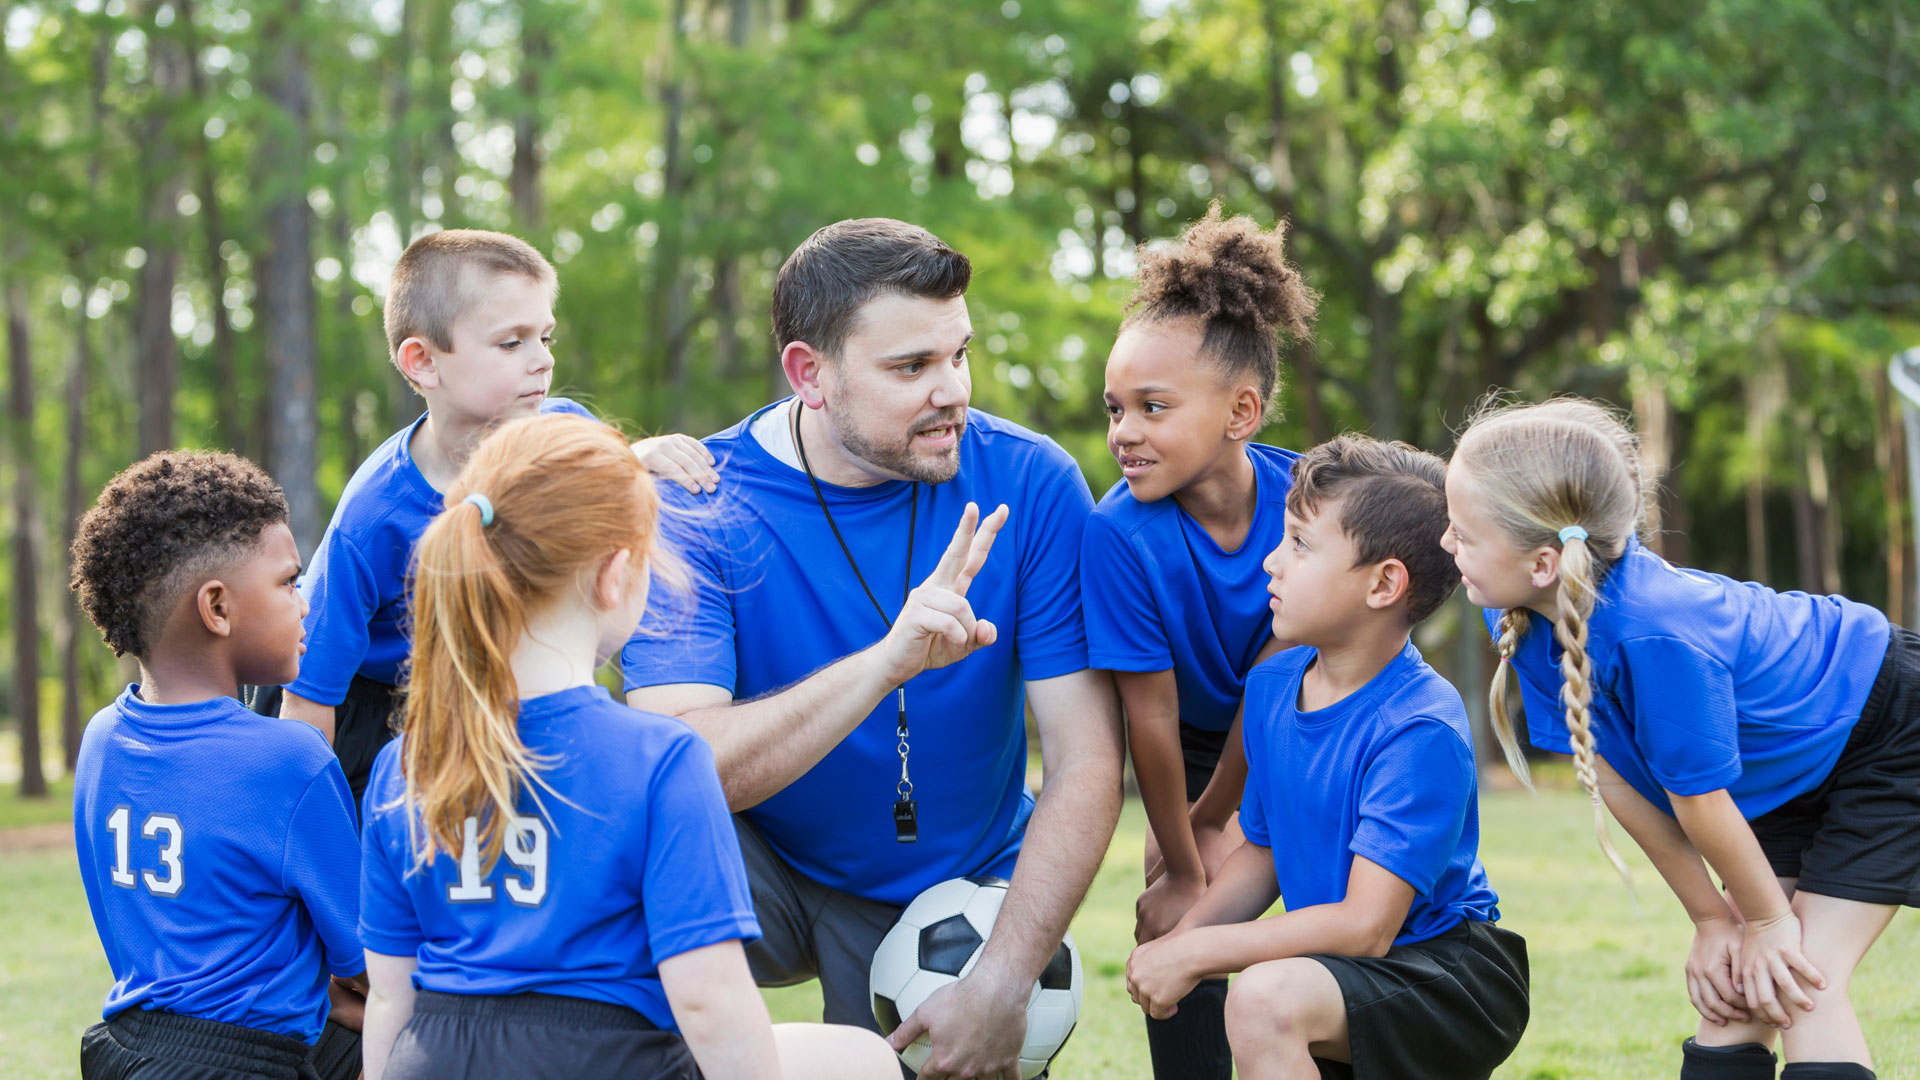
(1362, 925)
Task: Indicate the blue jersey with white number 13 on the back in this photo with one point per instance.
(220, 860)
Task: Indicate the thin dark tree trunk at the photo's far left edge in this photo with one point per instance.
(26, 599)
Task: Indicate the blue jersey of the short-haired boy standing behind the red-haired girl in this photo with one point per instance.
(356, 583)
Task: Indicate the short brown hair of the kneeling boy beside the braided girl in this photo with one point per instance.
(1393, 504)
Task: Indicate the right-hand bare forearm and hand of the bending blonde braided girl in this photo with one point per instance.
(1771, 946)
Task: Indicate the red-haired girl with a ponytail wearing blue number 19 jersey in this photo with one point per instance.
(550, 883)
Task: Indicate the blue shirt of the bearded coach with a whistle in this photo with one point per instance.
(775, 601)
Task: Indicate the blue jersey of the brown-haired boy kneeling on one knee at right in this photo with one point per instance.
(1385, 773)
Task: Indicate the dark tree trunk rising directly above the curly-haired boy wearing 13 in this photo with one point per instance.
(156, 353)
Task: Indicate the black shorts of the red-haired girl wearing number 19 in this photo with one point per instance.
(535, 1037)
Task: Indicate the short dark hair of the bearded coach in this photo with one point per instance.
(827, 280)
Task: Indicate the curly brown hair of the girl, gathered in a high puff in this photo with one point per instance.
(1237, 282)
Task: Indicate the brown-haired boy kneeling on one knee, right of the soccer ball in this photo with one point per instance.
(1360, 810)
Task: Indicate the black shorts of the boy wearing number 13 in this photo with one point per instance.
(139, 1044)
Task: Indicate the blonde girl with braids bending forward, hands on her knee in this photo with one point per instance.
(1767, 739)
